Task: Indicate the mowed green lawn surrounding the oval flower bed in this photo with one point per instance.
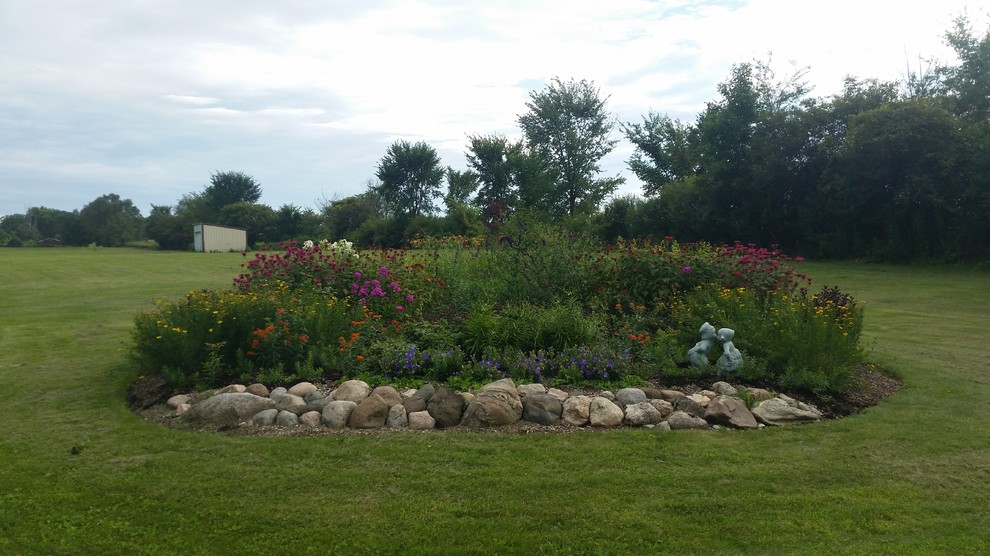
(909, 476)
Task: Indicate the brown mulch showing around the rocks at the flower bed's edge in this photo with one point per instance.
(871, 385)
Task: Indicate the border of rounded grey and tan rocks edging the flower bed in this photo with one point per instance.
(354, 406)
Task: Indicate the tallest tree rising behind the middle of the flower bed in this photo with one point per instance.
(567, 123)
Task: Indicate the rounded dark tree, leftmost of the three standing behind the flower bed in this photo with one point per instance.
(410, 178)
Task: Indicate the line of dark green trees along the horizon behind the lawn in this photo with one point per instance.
(894, 171)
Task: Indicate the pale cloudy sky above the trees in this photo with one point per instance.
(148, 98)
